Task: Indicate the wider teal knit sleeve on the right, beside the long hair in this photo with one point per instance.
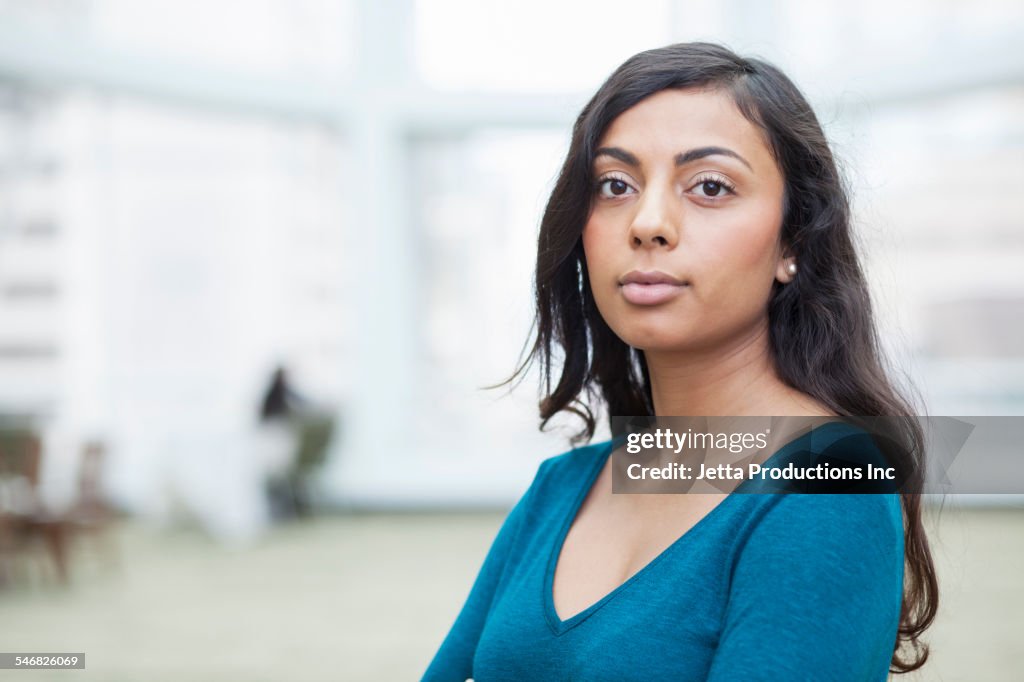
(816, 592)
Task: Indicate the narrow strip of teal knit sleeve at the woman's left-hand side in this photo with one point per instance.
(454, 661)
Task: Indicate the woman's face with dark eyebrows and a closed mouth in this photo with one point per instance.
(682, 243)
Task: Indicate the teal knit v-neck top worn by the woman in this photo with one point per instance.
(764, 587)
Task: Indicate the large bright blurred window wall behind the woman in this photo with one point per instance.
(193, 191)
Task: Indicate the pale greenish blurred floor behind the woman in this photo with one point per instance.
(370, 596)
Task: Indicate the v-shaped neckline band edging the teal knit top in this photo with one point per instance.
(561, 627)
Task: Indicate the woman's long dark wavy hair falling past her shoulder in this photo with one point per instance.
(823, 336)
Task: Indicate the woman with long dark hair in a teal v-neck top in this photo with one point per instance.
(696, 259)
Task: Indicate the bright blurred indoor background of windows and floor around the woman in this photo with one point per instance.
(259, 259)
